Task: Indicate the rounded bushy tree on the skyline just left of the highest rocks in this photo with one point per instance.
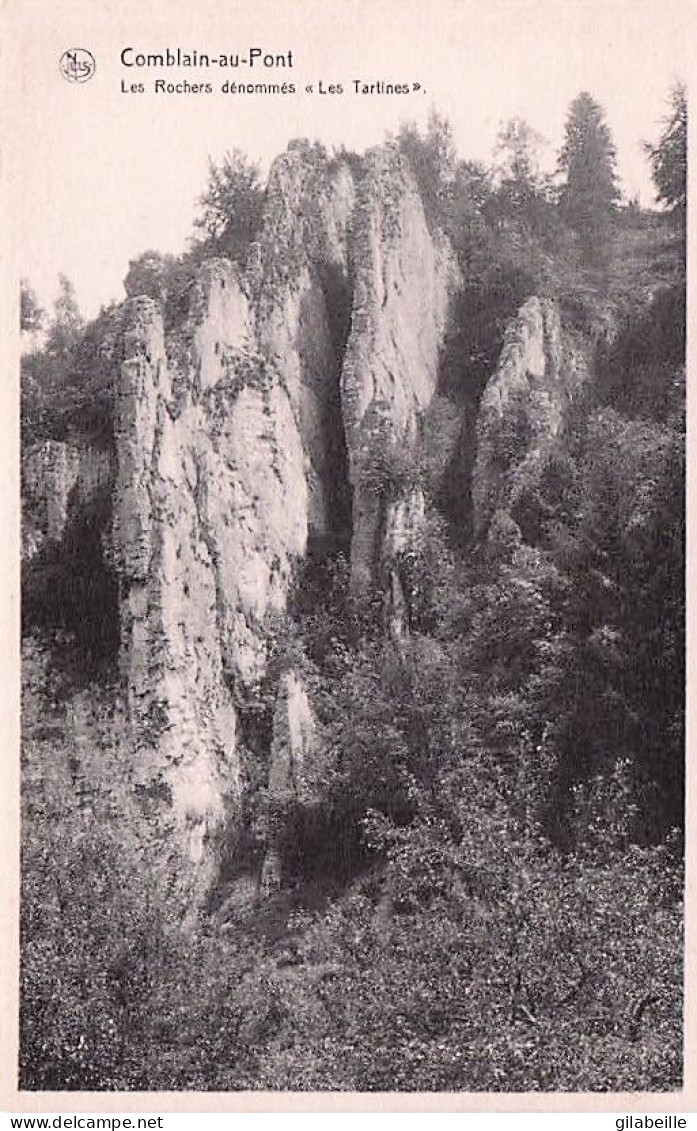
(231, 208)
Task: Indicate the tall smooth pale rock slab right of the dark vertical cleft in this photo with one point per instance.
(405, 282)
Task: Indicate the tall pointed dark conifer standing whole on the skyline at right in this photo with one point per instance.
(588, 159)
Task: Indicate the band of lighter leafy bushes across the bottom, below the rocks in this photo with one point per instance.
(468, 956)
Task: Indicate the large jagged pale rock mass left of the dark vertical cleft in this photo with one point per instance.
(225, 431)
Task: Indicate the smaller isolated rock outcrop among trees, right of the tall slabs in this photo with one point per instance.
(523, 408)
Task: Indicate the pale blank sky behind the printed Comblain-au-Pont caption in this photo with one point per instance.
(102, 175)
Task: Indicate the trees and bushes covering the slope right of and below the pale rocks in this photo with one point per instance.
(488, 893)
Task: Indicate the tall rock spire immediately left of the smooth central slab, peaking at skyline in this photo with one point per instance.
(299, 280)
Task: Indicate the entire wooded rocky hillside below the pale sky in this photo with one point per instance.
(354, 645)
